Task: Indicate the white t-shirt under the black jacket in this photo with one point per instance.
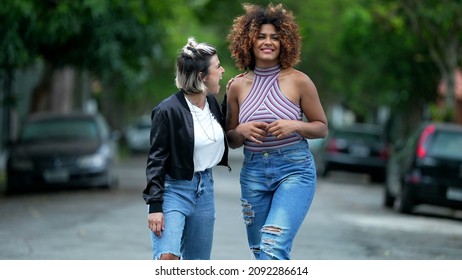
(208, 138)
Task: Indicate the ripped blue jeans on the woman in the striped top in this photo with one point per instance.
(277, 189)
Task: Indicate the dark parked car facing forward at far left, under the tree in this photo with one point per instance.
(62, 150)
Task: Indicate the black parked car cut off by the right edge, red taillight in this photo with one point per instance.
(427, 169)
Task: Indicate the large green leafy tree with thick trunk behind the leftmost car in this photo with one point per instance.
(109, 40)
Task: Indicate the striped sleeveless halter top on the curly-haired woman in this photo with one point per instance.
(266, 103)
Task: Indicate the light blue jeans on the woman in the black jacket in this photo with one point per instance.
(189, 215)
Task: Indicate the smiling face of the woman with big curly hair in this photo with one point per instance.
(267, 46)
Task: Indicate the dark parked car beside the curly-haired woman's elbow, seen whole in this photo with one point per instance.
(360, 148)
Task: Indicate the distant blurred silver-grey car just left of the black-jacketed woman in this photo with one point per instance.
(137, 135)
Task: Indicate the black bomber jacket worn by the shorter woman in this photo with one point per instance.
(172, 146)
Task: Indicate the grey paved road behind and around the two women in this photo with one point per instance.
(346, 222)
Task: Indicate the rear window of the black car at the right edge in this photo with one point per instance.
(446, 144)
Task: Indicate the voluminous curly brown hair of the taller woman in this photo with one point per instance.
(246, 27)
